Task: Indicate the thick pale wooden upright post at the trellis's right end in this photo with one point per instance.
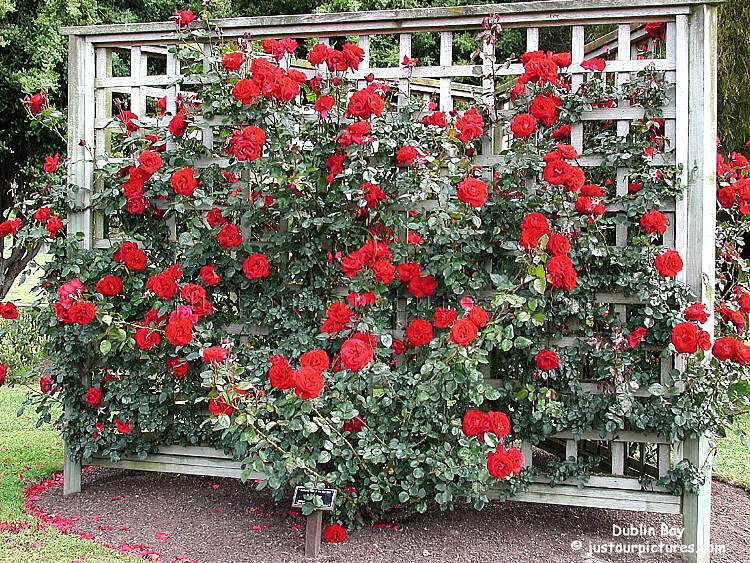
(700, 263)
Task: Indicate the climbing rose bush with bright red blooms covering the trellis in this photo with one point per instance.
(337, 284)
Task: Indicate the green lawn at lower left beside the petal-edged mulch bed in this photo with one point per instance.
(34, 453)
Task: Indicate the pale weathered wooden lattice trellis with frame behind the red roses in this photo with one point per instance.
(690, 125)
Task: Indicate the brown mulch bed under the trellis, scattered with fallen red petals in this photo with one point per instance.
(222, 520)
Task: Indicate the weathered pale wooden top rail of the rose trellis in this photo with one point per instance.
(547, 12)
